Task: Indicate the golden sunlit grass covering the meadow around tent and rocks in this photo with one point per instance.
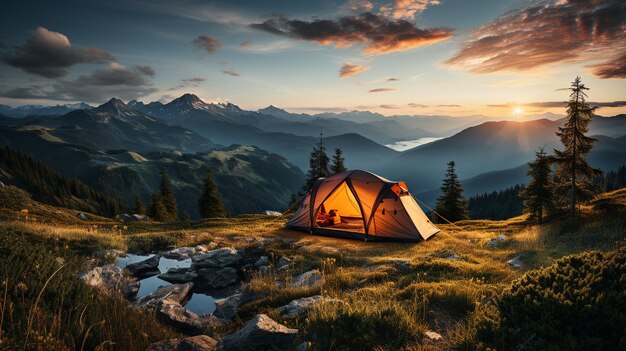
(392, 293)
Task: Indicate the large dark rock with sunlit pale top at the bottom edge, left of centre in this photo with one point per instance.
(260, 333)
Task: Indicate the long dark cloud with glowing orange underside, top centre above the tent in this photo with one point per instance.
(377, 33)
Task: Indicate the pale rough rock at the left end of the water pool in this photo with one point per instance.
(111, 278)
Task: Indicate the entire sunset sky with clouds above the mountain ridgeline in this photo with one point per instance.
(419, 57)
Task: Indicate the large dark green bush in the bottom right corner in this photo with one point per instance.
(576, 304)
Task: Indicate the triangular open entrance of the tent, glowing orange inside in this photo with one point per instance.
(340, 211)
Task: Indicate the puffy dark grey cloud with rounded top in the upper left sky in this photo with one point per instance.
(50, 54)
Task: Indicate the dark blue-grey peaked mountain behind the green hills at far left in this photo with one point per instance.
(114, 125)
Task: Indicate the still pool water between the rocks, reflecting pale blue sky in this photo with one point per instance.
(200, 304)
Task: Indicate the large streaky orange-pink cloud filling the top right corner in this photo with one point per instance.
(547, 32)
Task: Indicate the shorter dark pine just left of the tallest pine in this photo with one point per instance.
(539, 194)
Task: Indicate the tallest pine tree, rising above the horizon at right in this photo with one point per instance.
(573, 172)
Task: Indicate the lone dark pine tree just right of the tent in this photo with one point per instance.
(451, 204)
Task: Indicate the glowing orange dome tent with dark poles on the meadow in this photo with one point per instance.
(362, 205)
